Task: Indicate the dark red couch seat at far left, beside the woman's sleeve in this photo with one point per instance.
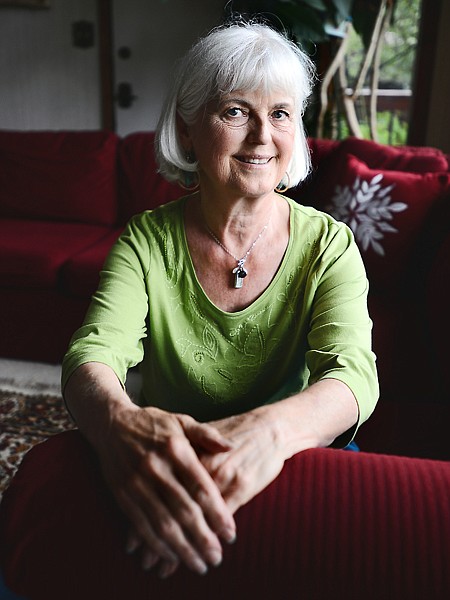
(33, 252)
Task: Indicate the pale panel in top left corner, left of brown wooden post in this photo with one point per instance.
(49, 67)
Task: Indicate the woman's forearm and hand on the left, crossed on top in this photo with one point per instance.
(149, 460)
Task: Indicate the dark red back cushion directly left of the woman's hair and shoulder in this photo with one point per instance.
(141, 186)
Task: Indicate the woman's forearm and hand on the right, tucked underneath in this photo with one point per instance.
(267, 436)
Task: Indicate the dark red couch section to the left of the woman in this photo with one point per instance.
(64, 199)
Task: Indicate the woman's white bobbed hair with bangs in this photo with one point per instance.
(246, 57)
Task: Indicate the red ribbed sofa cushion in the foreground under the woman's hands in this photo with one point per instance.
(334, 524)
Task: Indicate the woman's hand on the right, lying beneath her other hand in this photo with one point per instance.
(254, 461)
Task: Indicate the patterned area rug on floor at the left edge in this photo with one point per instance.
(26, 420)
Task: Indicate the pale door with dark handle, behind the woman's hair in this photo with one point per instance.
(148, 36)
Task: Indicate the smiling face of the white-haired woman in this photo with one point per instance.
(243, 143)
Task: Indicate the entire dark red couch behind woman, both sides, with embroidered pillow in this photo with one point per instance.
(65, 197)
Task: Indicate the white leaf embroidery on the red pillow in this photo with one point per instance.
(366, 207)
